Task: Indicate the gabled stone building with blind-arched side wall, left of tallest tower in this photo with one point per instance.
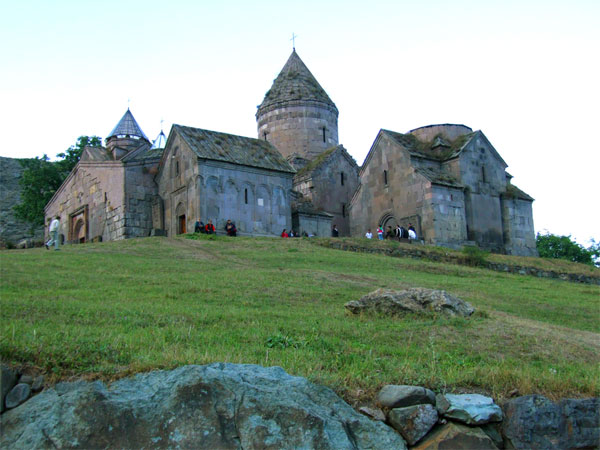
(209, 175)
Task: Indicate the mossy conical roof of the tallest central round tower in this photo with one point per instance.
(295, 83)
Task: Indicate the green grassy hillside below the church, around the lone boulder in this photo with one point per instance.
(112, 309)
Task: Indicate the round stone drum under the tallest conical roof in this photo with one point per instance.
(298, 127)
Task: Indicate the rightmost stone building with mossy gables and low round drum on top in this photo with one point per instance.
(450, 183)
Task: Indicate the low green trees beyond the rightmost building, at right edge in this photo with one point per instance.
(563, 247)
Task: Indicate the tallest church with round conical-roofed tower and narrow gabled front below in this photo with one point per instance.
(300, 120)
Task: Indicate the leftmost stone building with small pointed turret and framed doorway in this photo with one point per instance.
(110, 192)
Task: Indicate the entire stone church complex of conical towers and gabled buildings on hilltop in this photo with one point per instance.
(446, 180)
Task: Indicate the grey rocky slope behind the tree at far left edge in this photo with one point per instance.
(12, 230)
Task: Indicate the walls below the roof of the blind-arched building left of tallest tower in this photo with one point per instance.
(257, 200)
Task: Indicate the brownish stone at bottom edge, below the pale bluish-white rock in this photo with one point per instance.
(455, 436)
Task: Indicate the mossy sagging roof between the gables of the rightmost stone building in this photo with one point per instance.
(439, 149)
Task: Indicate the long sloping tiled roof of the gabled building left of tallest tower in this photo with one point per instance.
(233, 149)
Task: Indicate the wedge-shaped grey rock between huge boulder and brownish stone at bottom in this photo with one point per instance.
(413, 422)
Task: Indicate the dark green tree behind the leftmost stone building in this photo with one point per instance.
(41, 178)
